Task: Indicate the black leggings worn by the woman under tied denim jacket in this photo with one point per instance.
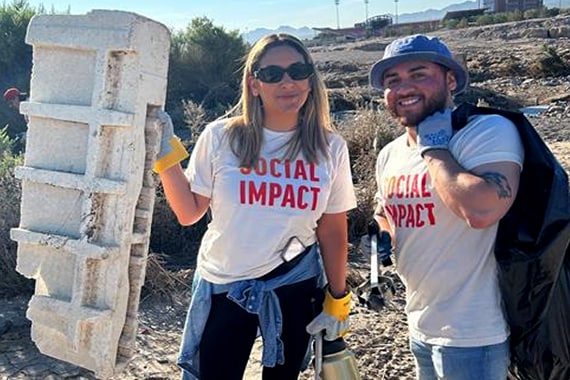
(231, 331)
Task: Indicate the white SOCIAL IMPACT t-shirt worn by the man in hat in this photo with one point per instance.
(449, 269)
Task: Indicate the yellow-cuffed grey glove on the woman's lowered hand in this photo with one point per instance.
(334, 317)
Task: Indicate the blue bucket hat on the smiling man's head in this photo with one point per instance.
(418, 47)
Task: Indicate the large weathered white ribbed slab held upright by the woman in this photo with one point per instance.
(87, 188)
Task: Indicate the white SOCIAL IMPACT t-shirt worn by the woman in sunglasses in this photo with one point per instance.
(256, 212)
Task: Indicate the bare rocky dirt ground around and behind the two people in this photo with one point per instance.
(378, 340)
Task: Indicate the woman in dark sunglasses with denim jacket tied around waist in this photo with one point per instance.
(277, 180)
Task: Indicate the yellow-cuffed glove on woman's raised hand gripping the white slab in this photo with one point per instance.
(171, 149)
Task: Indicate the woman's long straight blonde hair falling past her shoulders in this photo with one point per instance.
(246, 130)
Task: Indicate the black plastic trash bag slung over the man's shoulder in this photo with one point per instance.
(532, 253)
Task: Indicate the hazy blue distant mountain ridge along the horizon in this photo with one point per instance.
(429, 14)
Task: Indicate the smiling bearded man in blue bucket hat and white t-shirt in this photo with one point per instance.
(441, 194)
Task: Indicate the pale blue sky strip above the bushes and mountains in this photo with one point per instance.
(251, 14)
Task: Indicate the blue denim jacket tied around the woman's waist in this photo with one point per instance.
(254, 296)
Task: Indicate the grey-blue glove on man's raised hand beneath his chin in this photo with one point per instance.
(435, 131)
